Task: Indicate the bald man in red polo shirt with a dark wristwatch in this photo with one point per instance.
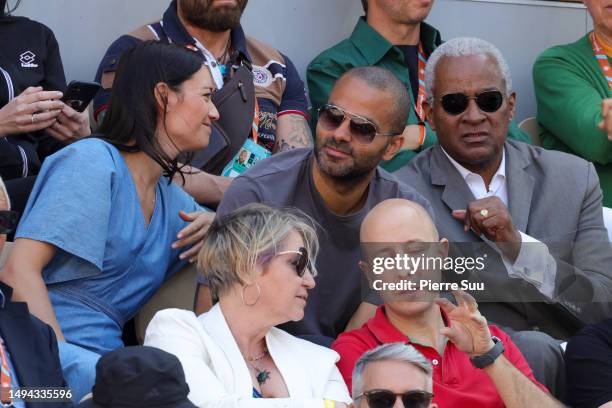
(474, 364)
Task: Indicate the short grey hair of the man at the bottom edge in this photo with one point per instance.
(390, 352)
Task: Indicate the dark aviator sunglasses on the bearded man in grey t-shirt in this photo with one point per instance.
(362, 129)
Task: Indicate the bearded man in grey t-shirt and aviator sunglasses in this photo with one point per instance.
(336, 183)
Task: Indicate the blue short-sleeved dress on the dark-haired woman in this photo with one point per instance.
(108, 261)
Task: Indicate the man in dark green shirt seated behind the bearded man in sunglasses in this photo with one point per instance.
(392, 35)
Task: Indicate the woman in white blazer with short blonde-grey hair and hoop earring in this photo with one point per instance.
(259, 264)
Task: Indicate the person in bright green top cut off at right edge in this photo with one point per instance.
(570, 87)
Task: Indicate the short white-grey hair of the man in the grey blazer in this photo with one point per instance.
(464, 47)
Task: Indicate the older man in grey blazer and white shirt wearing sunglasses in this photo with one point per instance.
(537, 214)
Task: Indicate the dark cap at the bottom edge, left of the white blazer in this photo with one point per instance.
(139, 377)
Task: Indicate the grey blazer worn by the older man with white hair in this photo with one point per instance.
(552, 196)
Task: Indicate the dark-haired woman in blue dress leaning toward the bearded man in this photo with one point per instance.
(104, 226)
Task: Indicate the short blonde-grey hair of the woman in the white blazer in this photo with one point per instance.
(237, 242)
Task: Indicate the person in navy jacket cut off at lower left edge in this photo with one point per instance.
(28, 348)
